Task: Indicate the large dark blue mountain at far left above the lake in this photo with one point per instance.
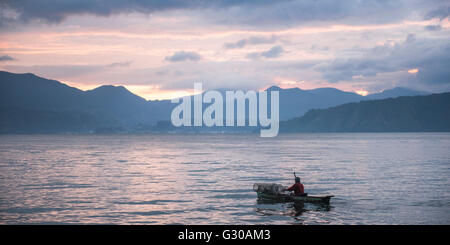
(31, 104)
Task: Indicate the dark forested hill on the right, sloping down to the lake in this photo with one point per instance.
(429, 113)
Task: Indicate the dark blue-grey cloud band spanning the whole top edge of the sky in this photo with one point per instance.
(242, 12)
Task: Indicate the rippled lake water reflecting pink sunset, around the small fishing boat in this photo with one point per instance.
(207, 179)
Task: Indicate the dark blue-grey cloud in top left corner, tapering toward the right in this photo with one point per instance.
(55, 11)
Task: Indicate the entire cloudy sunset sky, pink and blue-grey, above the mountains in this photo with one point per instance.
(159, 49)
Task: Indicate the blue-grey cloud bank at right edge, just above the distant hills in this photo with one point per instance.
(431, 57)
